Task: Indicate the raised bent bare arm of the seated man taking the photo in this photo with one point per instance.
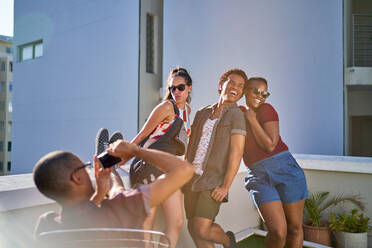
(177, 172)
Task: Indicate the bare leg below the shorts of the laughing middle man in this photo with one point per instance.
(209, 232)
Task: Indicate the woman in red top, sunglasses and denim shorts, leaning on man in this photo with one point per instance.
(275, 180)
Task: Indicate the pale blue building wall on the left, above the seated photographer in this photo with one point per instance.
(87, 77)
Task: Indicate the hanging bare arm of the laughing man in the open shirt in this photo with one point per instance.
(237, 142)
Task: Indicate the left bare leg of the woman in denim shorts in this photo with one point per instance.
(273, 215)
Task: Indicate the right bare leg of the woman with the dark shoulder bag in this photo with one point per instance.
(173, 213)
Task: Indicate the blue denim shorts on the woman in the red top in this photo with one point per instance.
(278, 178)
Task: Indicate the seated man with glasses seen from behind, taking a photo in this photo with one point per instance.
(62, 177)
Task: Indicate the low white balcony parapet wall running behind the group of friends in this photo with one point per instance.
(21, 204)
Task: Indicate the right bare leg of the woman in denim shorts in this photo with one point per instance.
(294, 213)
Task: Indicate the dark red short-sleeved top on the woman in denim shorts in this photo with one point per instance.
(252, 151)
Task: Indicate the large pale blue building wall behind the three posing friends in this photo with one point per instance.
(295, 44)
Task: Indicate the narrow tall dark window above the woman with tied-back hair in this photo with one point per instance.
(150, 44)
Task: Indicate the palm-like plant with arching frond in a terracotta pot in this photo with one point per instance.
(315, 228)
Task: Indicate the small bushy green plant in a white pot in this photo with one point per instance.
(350, 229)
